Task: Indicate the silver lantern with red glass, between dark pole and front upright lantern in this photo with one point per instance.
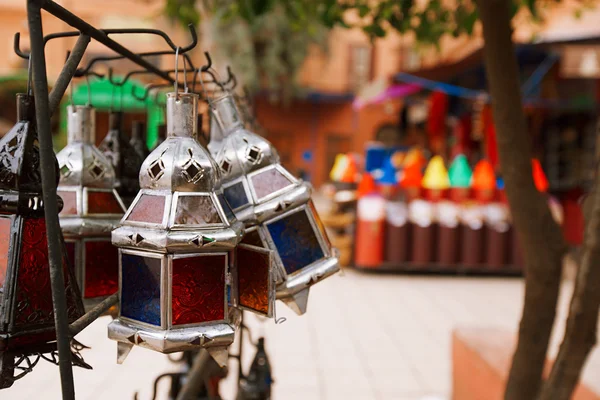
(92, 208)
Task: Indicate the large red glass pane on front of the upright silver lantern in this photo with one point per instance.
(198, 289)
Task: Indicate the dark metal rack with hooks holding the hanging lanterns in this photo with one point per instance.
(46, 104)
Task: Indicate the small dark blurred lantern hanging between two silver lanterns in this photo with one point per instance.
(122, 156)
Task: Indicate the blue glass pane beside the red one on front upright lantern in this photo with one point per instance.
(140, 288)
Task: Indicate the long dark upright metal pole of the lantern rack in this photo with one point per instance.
(47, 167)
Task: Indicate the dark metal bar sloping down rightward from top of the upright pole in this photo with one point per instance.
(77, 23)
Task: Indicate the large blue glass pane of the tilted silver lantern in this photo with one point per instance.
(295, 241)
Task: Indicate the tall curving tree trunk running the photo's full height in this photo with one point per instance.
(539, 235)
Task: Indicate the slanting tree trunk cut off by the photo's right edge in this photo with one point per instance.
(580, 333)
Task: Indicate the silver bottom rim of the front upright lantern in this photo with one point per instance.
(172, 340)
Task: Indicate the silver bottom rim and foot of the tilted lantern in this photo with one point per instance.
(290, 291)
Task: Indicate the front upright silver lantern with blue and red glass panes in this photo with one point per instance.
(176, 244)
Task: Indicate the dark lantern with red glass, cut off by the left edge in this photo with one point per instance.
(26, 312)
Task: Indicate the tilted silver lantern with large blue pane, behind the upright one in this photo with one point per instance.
(262, 193)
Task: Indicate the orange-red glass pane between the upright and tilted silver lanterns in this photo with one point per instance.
(253, 279)
